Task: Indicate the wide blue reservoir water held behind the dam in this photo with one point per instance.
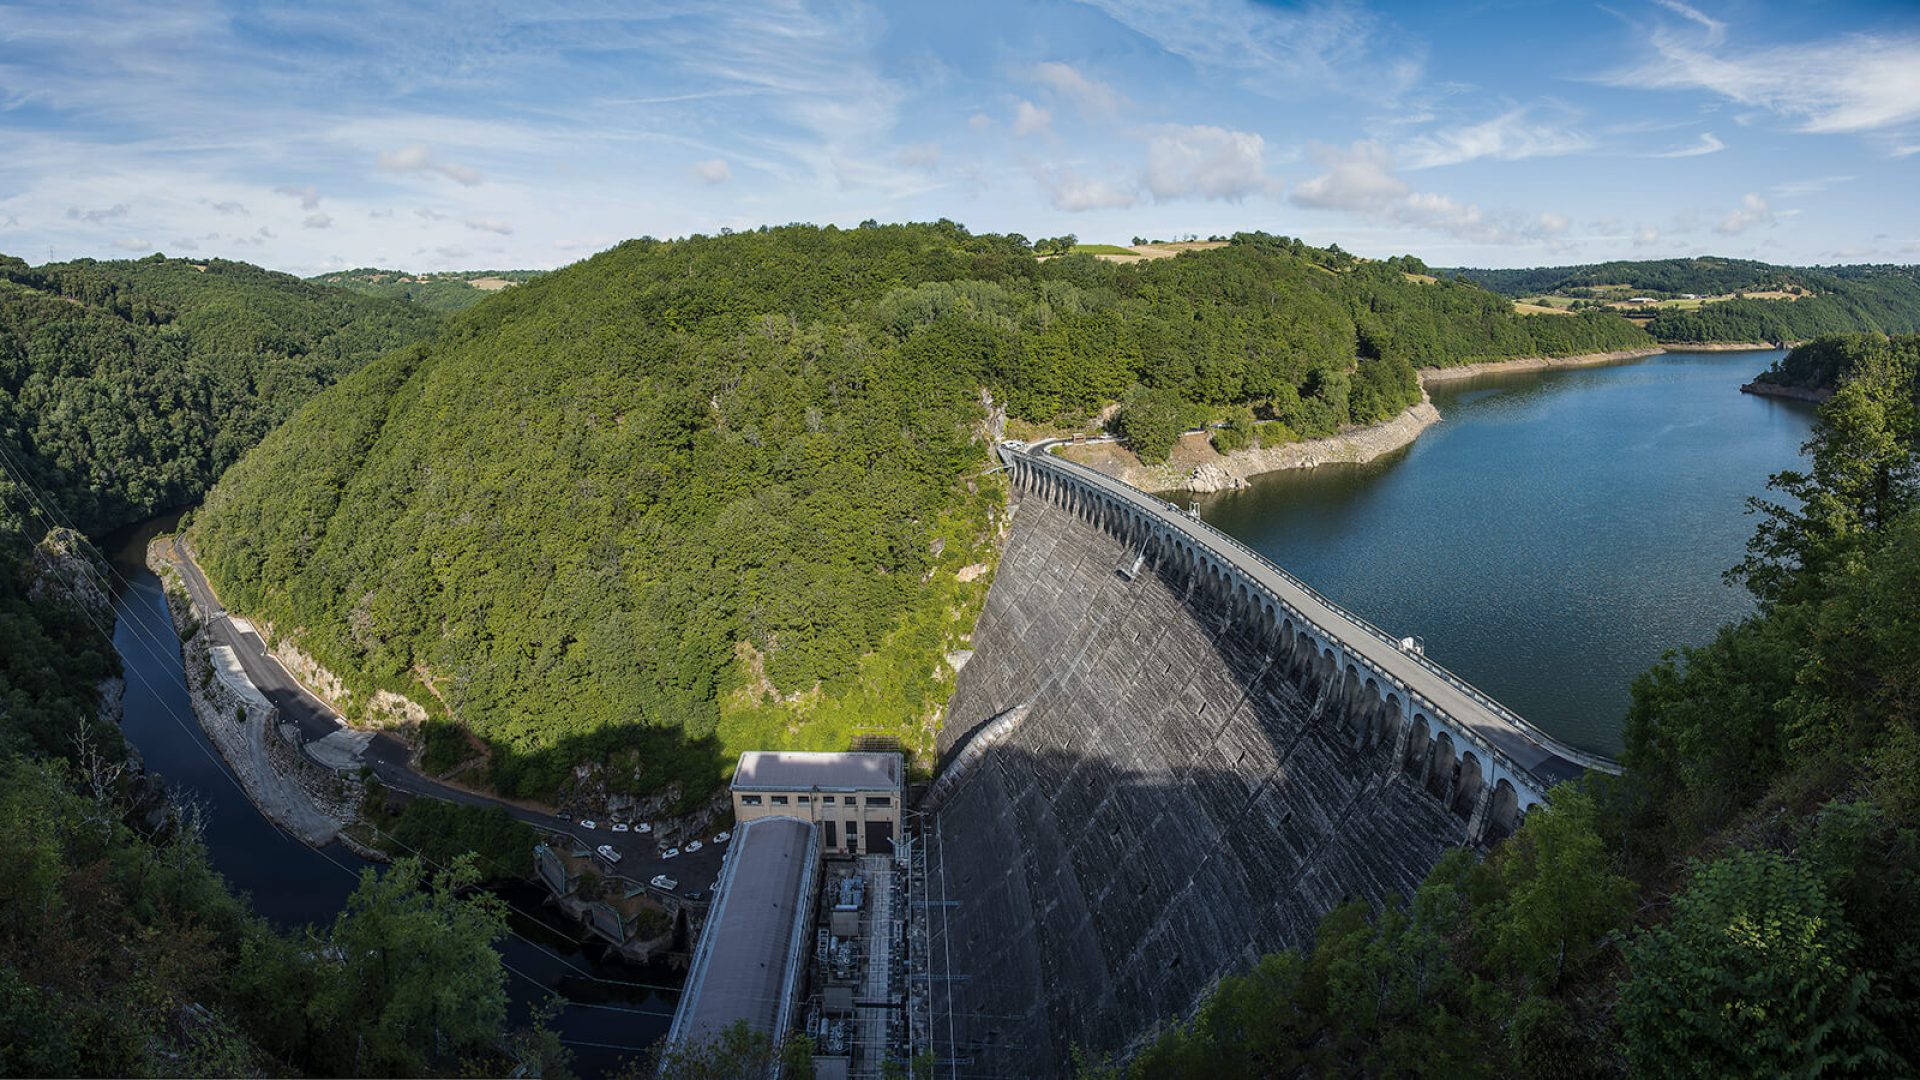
(1554, 535)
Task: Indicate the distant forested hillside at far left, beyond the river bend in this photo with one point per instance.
(128, 387)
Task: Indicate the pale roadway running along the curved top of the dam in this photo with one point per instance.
(1445, 693)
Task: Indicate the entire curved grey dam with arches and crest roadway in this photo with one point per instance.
(1168, 758)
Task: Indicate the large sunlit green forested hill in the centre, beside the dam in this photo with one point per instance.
(734, 491)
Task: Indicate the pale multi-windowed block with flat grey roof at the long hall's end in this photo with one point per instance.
(855, 798)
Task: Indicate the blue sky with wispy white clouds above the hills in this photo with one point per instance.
(437, 135)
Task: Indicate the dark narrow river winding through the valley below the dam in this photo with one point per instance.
(613, 1010)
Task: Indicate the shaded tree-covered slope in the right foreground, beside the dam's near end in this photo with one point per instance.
(1739, 904)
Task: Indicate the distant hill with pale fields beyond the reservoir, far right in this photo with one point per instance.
(1723, 301)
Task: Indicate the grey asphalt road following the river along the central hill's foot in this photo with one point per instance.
(391, 758)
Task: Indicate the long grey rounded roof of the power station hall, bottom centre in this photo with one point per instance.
(754, 948)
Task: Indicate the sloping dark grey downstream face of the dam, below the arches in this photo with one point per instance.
(1170, 804)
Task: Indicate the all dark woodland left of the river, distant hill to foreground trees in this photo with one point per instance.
(124, 389)
